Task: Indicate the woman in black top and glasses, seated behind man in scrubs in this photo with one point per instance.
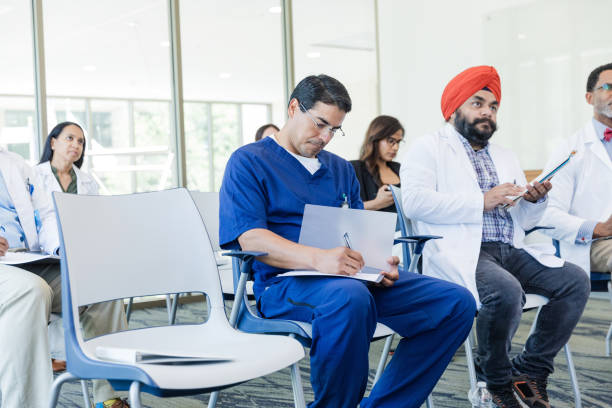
(375, 168)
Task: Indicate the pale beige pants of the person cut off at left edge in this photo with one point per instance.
(27, 297)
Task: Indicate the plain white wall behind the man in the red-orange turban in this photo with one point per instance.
(543, 50)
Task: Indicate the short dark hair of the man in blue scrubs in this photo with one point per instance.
(324, 89)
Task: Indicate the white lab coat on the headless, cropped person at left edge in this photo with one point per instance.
(18, 177)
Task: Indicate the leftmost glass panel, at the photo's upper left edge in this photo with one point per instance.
(17, 108)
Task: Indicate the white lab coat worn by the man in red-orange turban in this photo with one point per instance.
(441, 195)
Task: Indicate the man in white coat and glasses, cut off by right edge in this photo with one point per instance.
(580, 206)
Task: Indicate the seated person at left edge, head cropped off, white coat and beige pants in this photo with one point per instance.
(30, 292)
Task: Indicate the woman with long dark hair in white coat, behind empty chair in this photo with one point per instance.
(61, 161)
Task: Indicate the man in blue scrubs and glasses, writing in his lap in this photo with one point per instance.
(265, 187)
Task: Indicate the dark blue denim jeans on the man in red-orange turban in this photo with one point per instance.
(503, 275)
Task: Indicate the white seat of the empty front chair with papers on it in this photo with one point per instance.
(252, 355)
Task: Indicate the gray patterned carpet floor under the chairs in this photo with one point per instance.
(587, 343)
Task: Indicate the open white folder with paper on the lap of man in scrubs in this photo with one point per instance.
(370, 233)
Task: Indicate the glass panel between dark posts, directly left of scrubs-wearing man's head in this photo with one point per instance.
(231, 52)
